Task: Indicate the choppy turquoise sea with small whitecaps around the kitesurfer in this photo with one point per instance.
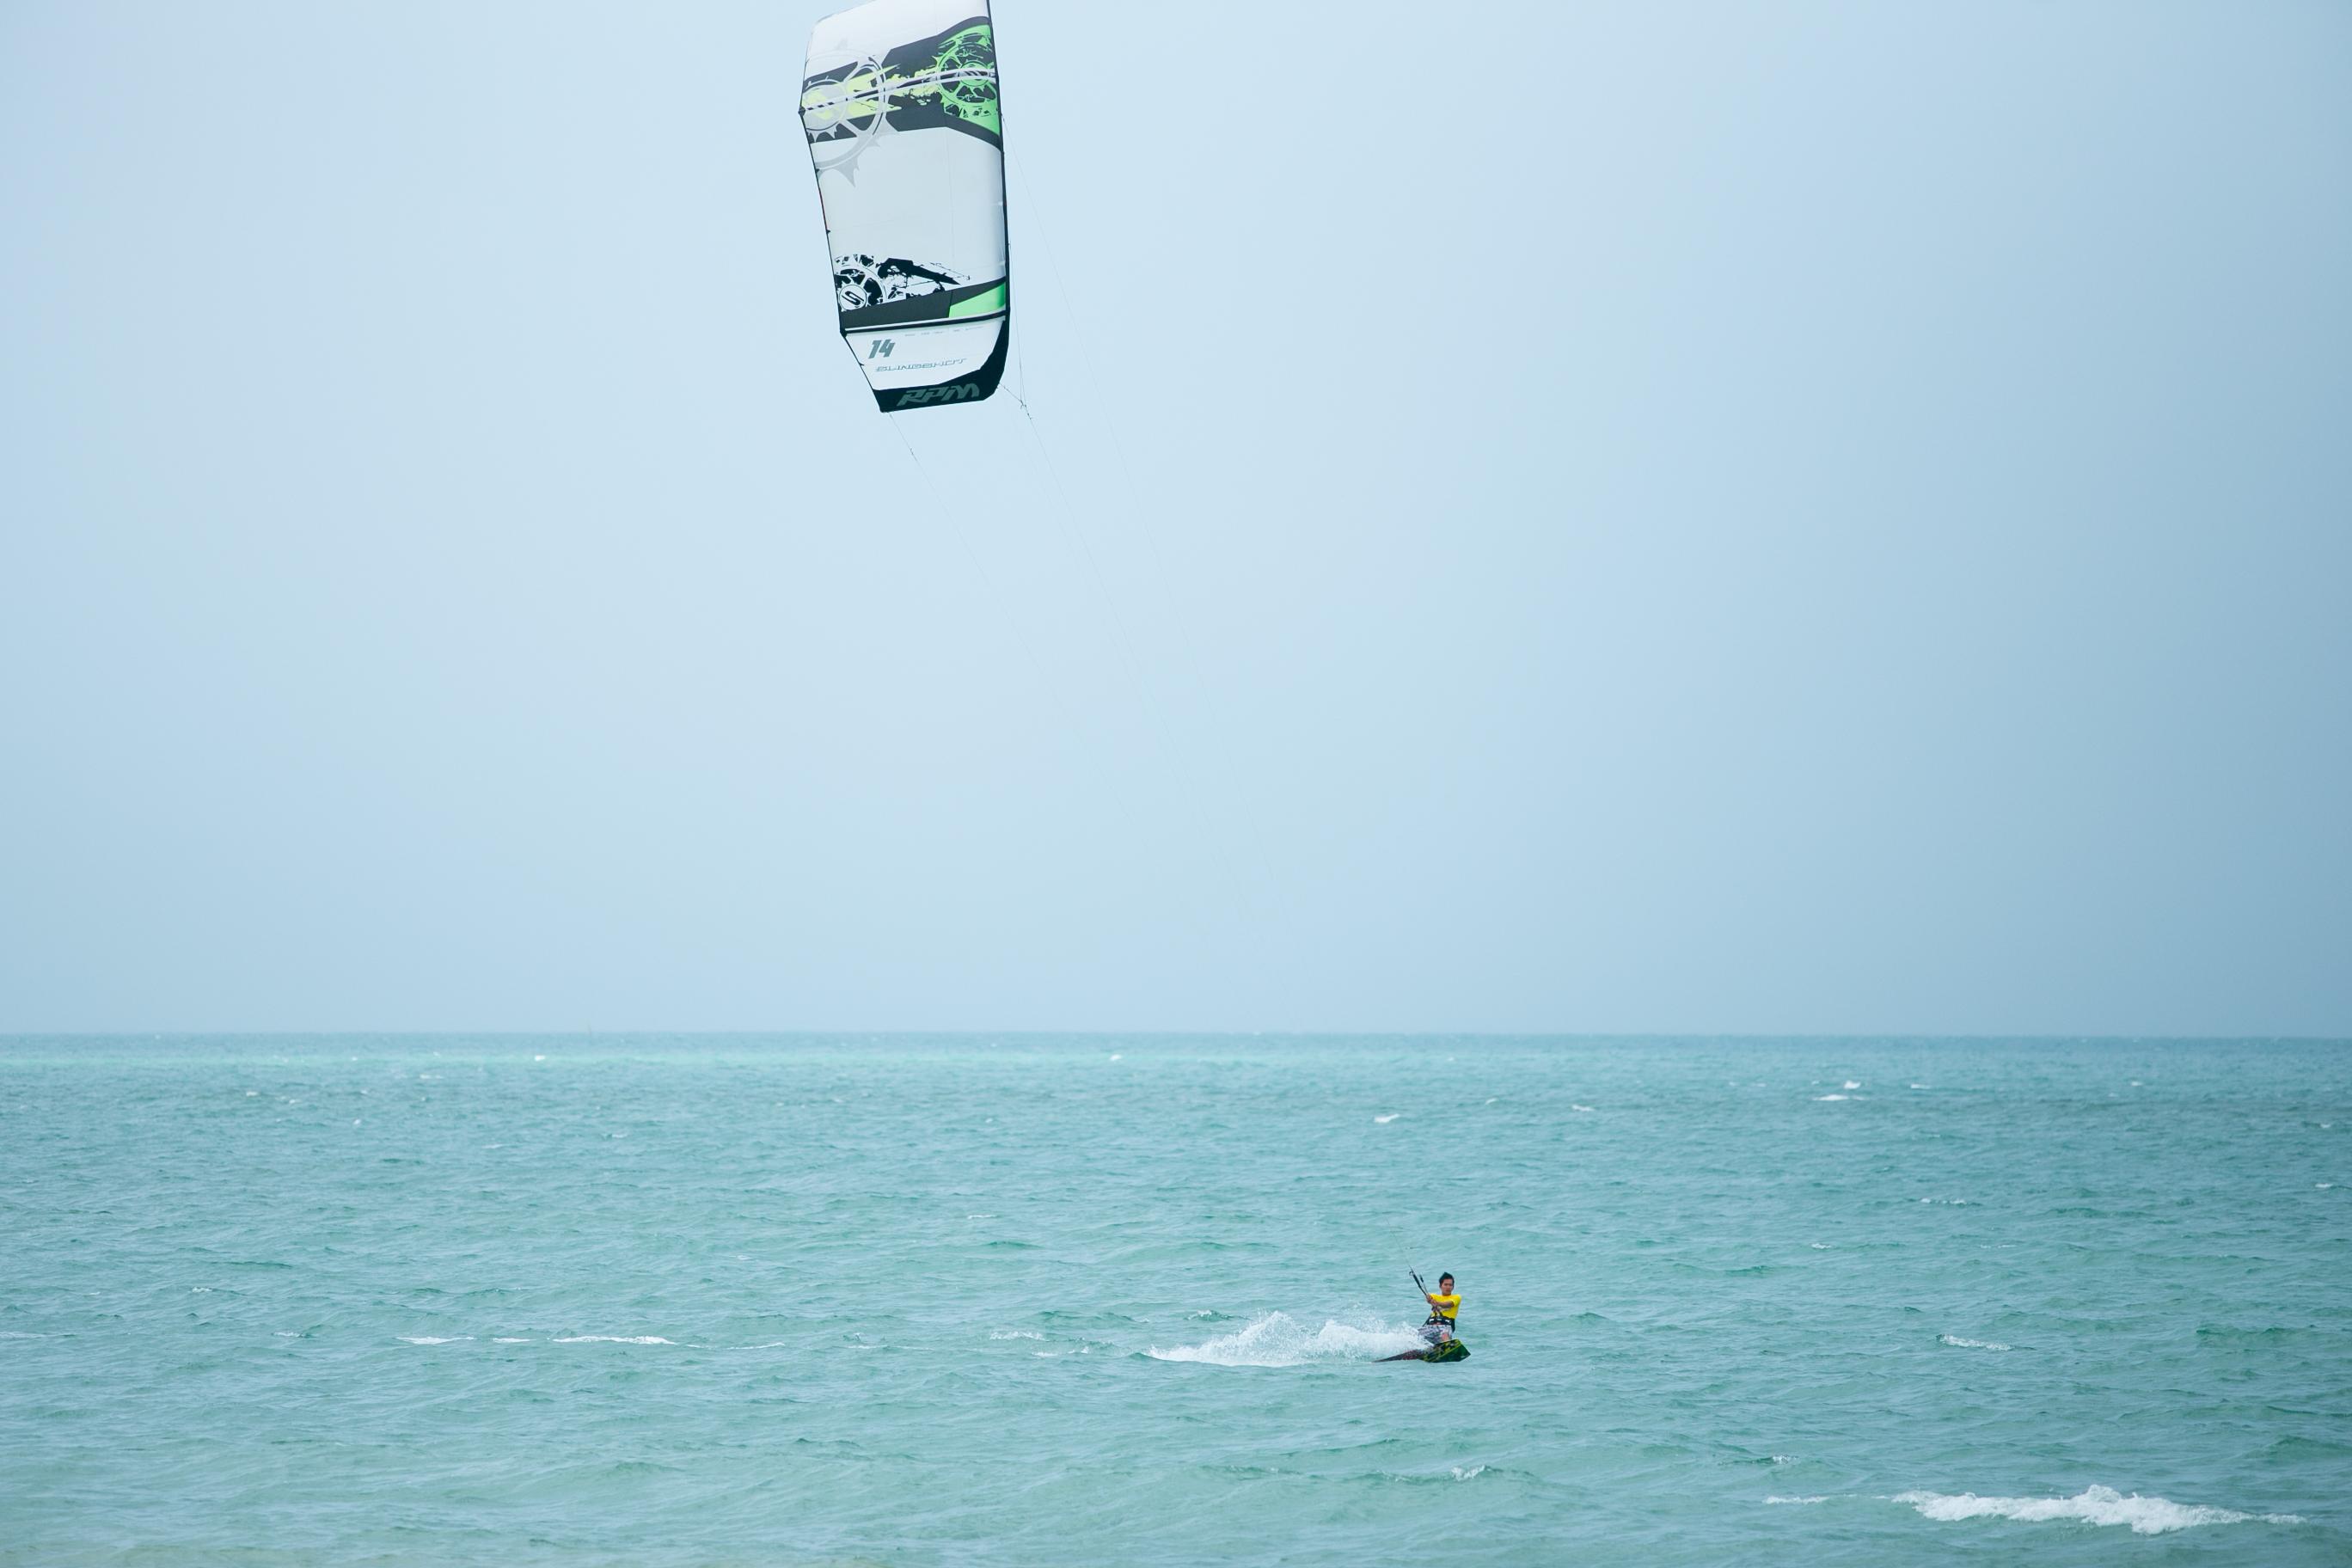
(1118, 1301)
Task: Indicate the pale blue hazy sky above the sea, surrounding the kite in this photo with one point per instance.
(1539, 518)
